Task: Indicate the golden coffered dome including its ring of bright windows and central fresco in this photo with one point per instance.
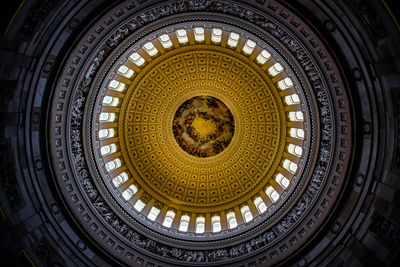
(166, 98)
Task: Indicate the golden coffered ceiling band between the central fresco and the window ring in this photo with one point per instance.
(156, 161)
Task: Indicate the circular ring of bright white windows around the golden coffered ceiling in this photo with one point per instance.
(127, 186)
